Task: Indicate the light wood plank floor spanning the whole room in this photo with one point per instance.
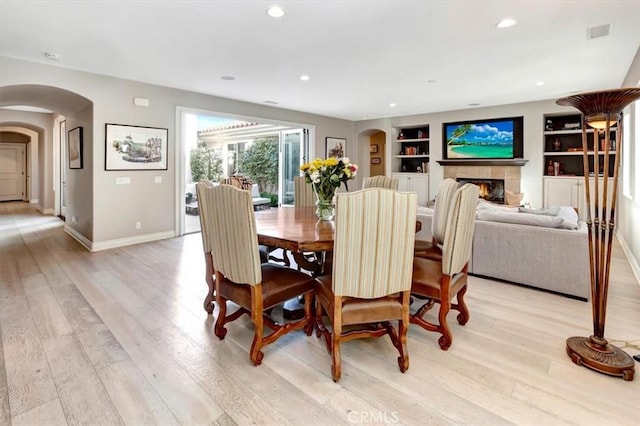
(120, 337)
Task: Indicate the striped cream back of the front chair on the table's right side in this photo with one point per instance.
(456, 250)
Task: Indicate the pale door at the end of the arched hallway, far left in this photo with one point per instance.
(12, 171)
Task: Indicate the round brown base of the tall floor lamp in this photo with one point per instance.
(595, 353)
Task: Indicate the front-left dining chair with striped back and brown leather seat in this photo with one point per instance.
(241, 278)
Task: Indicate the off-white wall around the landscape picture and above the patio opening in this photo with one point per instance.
(116, 208)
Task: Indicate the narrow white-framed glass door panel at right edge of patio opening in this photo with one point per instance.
(292, 149)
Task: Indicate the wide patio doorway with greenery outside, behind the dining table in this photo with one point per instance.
(215, 146)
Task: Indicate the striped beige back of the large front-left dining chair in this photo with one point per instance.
(232, 233)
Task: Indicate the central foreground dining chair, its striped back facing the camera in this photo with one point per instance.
(371, 276)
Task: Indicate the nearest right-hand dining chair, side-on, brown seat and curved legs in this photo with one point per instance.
(442, 281)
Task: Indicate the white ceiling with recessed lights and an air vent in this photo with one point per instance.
(361, 56)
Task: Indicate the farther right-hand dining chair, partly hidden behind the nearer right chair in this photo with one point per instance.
(433, 249)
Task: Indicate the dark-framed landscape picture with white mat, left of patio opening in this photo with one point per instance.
(135, 147)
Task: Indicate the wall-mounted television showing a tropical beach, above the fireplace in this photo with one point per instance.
(496, 138)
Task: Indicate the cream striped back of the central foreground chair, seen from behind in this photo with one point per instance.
(373, 244)
